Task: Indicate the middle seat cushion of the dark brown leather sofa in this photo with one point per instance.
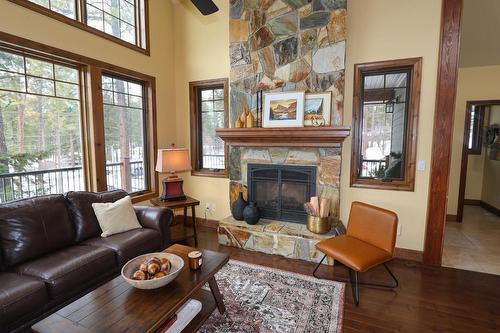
(71, 269)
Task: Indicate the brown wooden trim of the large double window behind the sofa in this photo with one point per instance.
(92, 109)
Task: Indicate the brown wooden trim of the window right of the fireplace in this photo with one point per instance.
(415, 67)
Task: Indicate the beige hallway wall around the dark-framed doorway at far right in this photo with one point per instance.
(474, 83)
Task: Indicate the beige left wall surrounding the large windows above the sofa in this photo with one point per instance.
(25, 23)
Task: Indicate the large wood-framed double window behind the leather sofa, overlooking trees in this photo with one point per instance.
(69, 123)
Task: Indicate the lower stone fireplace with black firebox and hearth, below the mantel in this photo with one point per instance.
(311, 171)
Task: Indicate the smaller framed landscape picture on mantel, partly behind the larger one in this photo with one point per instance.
(318, 109)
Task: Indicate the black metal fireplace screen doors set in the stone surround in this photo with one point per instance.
(280, 191)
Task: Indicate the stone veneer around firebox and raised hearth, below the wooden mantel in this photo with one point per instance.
(291, 240)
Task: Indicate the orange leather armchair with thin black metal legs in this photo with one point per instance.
(370, 241)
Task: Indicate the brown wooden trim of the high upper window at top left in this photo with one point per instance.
(79, 23)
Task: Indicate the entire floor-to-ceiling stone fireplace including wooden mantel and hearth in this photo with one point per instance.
(286, 45)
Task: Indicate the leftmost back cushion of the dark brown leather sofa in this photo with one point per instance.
(32, 227)
